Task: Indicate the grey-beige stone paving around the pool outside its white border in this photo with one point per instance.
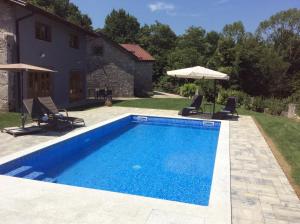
(260, 192)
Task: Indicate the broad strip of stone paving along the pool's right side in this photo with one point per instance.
(260, 191)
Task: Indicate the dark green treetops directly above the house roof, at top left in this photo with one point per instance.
(66, 10)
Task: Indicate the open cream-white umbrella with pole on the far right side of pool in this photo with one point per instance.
(199, 72)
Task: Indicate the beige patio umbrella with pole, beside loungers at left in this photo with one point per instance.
(21, 68)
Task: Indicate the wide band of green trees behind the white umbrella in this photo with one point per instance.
(265, 63)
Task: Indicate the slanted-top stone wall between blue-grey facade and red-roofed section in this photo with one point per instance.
(108, 66)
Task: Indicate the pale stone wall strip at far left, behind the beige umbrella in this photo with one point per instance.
(7, 49)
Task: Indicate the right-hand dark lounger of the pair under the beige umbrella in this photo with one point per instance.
(55, 113)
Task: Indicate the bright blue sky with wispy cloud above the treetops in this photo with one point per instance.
(180, 14)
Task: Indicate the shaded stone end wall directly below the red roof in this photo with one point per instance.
(143, 78)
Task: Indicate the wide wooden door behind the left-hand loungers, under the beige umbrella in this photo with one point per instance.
(39, 84)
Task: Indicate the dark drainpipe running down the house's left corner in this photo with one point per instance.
(18, 55)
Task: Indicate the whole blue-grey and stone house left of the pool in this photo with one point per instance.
(84, 60)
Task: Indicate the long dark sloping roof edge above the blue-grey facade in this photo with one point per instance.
(50, 15)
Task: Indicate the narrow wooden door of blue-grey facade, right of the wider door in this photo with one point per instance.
(76, 87)
